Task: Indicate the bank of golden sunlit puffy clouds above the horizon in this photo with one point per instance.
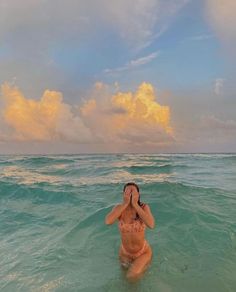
(122, 118)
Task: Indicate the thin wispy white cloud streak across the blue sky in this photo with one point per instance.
(134, 63)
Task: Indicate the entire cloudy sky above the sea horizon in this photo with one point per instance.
(121, 76)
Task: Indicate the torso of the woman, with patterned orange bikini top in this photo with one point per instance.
(132, 230)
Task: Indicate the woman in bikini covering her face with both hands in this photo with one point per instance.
(133, 216)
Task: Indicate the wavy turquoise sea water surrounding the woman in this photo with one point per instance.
(53, 236)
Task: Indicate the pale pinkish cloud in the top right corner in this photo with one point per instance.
(222, 17)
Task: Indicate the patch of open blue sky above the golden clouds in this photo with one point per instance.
(188, 54)
